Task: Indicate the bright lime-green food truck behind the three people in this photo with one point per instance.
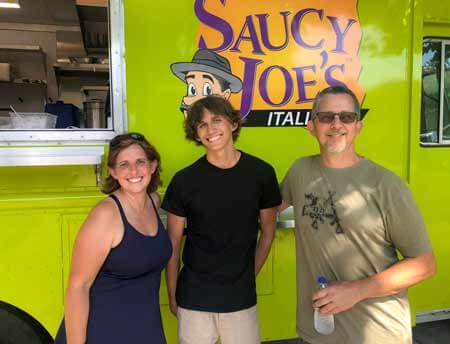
(75, 73)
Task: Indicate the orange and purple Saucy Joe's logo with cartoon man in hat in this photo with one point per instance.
(270, 58)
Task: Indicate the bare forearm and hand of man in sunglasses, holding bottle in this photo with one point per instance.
(343, 295)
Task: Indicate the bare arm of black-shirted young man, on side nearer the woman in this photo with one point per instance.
(175, 228)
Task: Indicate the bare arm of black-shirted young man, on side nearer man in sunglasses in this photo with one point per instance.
(267, 218)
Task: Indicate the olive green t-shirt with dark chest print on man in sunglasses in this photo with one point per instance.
(349, 224)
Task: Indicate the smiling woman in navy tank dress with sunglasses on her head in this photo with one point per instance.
(113, 291)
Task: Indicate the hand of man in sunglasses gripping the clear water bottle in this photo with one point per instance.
(337, 297)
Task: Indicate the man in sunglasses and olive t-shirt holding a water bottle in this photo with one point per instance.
(351, 216)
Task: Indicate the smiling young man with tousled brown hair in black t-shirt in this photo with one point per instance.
(221, 196)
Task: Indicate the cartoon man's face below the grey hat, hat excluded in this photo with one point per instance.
(200, 85)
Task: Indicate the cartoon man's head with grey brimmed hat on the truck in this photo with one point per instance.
(207, 74)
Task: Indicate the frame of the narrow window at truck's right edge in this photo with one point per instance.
(445, 44)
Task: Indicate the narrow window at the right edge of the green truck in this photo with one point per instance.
(435, 117)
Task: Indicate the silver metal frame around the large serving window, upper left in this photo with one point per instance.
(117, 94)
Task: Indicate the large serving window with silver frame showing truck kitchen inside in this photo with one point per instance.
(62, 72)
